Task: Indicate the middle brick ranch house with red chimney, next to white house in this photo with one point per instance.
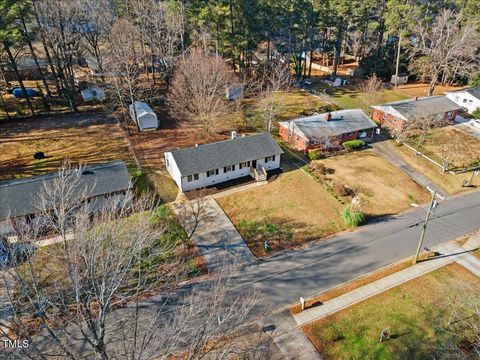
(328, 130)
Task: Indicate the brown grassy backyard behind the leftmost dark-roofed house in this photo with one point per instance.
(82, 138)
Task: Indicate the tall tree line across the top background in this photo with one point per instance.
(134, 46)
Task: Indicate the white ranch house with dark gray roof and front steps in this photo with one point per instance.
(210, 164)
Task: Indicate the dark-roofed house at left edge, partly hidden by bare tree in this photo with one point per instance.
(20, 197)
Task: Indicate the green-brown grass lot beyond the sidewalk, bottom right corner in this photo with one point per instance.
(419, 314)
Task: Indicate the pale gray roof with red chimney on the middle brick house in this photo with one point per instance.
(342, 122)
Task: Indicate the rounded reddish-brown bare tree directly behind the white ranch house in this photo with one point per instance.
(197, 95)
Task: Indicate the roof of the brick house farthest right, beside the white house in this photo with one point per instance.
(423, 106)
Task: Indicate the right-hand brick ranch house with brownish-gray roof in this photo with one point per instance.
(393, 115)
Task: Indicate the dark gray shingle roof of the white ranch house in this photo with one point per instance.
(199, 159)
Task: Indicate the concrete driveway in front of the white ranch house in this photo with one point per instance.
(218, 240)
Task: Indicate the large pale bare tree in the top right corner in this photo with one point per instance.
(448, 47)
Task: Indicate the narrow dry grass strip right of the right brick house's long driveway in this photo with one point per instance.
(451, 183)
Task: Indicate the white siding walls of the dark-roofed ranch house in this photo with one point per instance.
(204, 181)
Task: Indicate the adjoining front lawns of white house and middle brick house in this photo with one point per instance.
(297, 206)
